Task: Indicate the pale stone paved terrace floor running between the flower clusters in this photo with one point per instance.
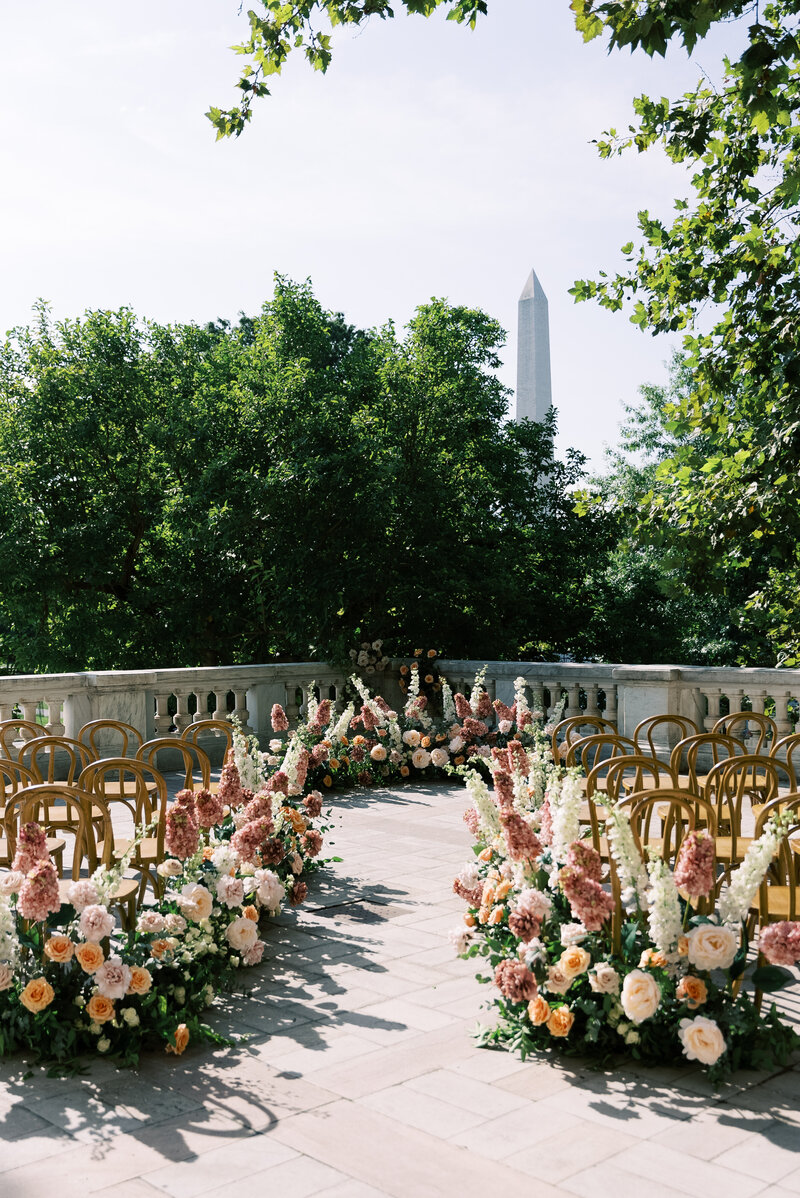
(360, 1078)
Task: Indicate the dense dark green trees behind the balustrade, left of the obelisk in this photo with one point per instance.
(180, 495)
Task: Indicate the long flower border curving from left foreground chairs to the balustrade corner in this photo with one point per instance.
(74, 983)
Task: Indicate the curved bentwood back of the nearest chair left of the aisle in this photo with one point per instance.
(80, 813)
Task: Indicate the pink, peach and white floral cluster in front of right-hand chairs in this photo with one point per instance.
(593, 958)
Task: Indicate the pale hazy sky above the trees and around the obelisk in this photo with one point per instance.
(429, 161)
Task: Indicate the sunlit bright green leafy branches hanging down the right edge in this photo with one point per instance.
(728, 273)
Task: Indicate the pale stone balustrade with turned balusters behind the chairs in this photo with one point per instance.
(165, 703)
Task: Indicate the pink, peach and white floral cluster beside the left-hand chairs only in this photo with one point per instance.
(72, 982)
